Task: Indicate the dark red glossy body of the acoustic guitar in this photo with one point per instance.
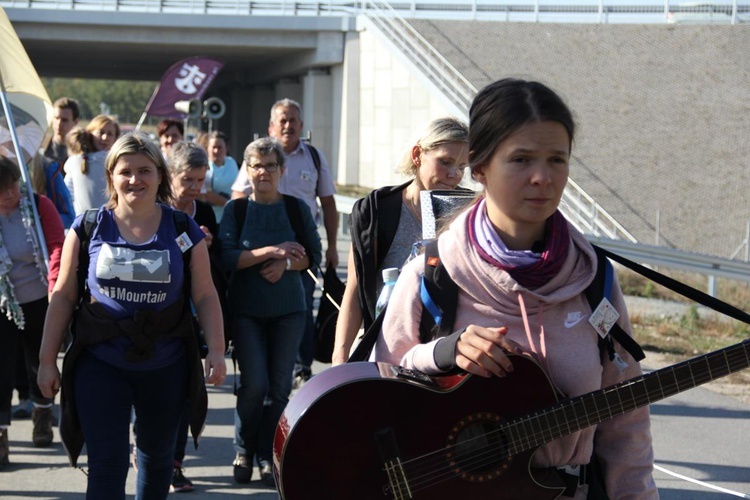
(342, 428)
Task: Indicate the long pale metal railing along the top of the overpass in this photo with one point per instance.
(582, 11)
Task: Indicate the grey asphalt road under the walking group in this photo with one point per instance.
(701, 442)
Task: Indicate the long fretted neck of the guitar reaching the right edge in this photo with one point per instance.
(575, 414)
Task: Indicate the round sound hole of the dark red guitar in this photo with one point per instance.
(477, 448)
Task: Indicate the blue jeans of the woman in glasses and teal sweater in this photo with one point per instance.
(265, 350)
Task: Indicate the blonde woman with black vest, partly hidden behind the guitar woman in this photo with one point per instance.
(386, 222)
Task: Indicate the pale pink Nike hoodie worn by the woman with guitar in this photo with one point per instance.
(560, 336)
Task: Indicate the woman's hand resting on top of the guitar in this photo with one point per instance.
(483, 351)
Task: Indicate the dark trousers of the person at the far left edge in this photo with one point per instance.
(31, 338)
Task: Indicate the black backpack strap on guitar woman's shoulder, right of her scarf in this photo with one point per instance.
(598, 289)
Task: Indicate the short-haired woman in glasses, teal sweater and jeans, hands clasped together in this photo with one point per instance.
(268, 239)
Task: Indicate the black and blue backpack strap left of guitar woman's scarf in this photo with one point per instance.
(439, 294)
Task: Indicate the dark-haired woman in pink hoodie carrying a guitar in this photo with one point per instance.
(521, 272)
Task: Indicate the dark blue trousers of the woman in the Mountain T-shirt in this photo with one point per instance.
(104, 396)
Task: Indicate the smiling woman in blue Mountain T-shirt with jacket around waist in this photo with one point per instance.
(134, 345)
